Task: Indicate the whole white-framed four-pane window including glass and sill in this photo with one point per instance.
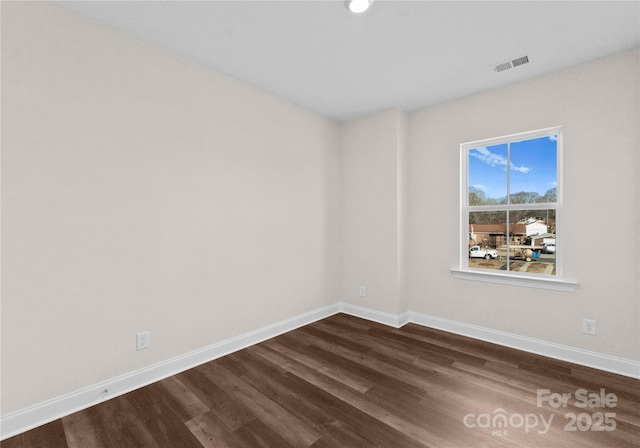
(511, 209)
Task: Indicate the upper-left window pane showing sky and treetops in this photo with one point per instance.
(487, 175)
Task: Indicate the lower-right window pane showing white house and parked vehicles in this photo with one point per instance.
(531, 241)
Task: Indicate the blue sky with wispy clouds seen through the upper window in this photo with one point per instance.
(533, 167)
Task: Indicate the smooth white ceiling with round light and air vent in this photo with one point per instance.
(406, 54)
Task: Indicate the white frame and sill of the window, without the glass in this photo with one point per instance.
(553, 282)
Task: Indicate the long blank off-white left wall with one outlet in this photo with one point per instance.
(141, 191)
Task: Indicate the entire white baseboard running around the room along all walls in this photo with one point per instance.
(42, 413)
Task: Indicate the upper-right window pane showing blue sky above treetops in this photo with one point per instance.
(534, 170)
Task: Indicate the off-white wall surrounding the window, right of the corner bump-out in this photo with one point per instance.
(598, 105)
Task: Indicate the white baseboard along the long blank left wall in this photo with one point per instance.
(48, 411)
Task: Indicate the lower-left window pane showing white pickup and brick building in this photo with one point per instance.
(487, 240)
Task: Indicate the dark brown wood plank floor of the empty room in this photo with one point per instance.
(346, 382)
